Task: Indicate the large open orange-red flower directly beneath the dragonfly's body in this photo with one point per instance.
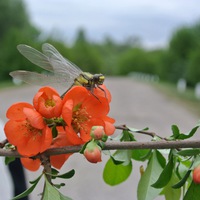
(82, 110)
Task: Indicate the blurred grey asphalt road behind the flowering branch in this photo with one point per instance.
(134, 103)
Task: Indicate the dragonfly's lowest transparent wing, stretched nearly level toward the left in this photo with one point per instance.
(57, 81)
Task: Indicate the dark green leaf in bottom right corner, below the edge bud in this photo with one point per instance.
(193, 192)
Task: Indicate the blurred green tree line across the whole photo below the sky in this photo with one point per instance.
(181, 59)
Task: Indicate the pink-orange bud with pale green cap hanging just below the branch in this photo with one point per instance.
(92, 152)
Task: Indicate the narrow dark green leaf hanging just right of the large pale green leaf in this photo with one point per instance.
(165, 176)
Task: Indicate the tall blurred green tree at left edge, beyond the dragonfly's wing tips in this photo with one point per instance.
(15, 29)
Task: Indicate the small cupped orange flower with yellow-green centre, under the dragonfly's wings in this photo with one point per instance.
(48, 102)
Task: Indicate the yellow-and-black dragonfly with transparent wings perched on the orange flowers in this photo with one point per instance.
(63, 73)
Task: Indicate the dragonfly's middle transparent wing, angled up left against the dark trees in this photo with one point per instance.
(35, 57)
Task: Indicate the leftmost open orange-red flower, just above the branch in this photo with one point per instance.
(27, 130)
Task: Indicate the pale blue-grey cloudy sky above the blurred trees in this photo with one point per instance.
(152, 20)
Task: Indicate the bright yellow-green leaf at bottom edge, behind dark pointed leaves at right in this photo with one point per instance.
(169, 192)
